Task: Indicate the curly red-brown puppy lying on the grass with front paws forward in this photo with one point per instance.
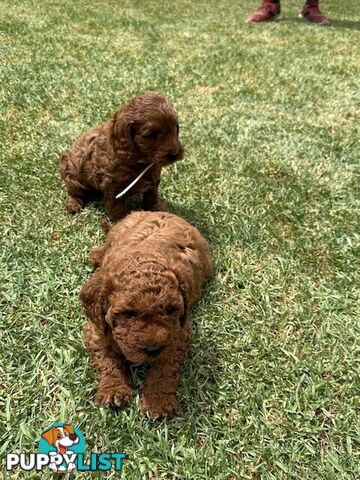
(151, 270)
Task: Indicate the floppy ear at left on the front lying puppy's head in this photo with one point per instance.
(94, 297)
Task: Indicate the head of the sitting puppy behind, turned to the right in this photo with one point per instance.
(148, 125)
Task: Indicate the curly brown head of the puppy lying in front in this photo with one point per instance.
(144, 306)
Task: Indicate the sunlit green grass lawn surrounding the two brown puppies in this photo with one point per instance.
(270, 119)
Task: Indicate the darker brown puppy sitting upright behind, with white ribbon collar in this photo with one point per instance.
(107, 158)
